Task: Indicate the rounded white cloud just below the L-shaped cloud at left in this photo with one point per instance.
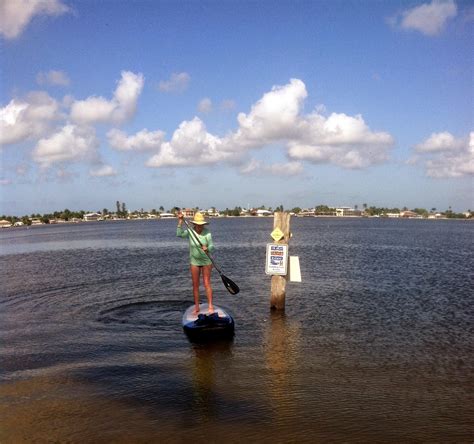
(71, 144)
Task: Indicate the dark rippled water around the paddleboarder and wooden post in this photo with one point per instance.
(375, 344)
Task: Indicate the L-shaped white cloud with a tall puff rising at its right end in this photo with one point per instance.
(119, 109)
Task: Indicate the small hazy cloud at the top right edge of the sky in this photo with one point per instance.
(429, 18)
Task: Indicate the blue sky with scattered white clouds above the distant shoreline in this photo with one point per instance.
(236, 103)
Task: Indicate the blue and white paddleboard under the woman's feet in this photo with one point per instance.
(206, 325)
